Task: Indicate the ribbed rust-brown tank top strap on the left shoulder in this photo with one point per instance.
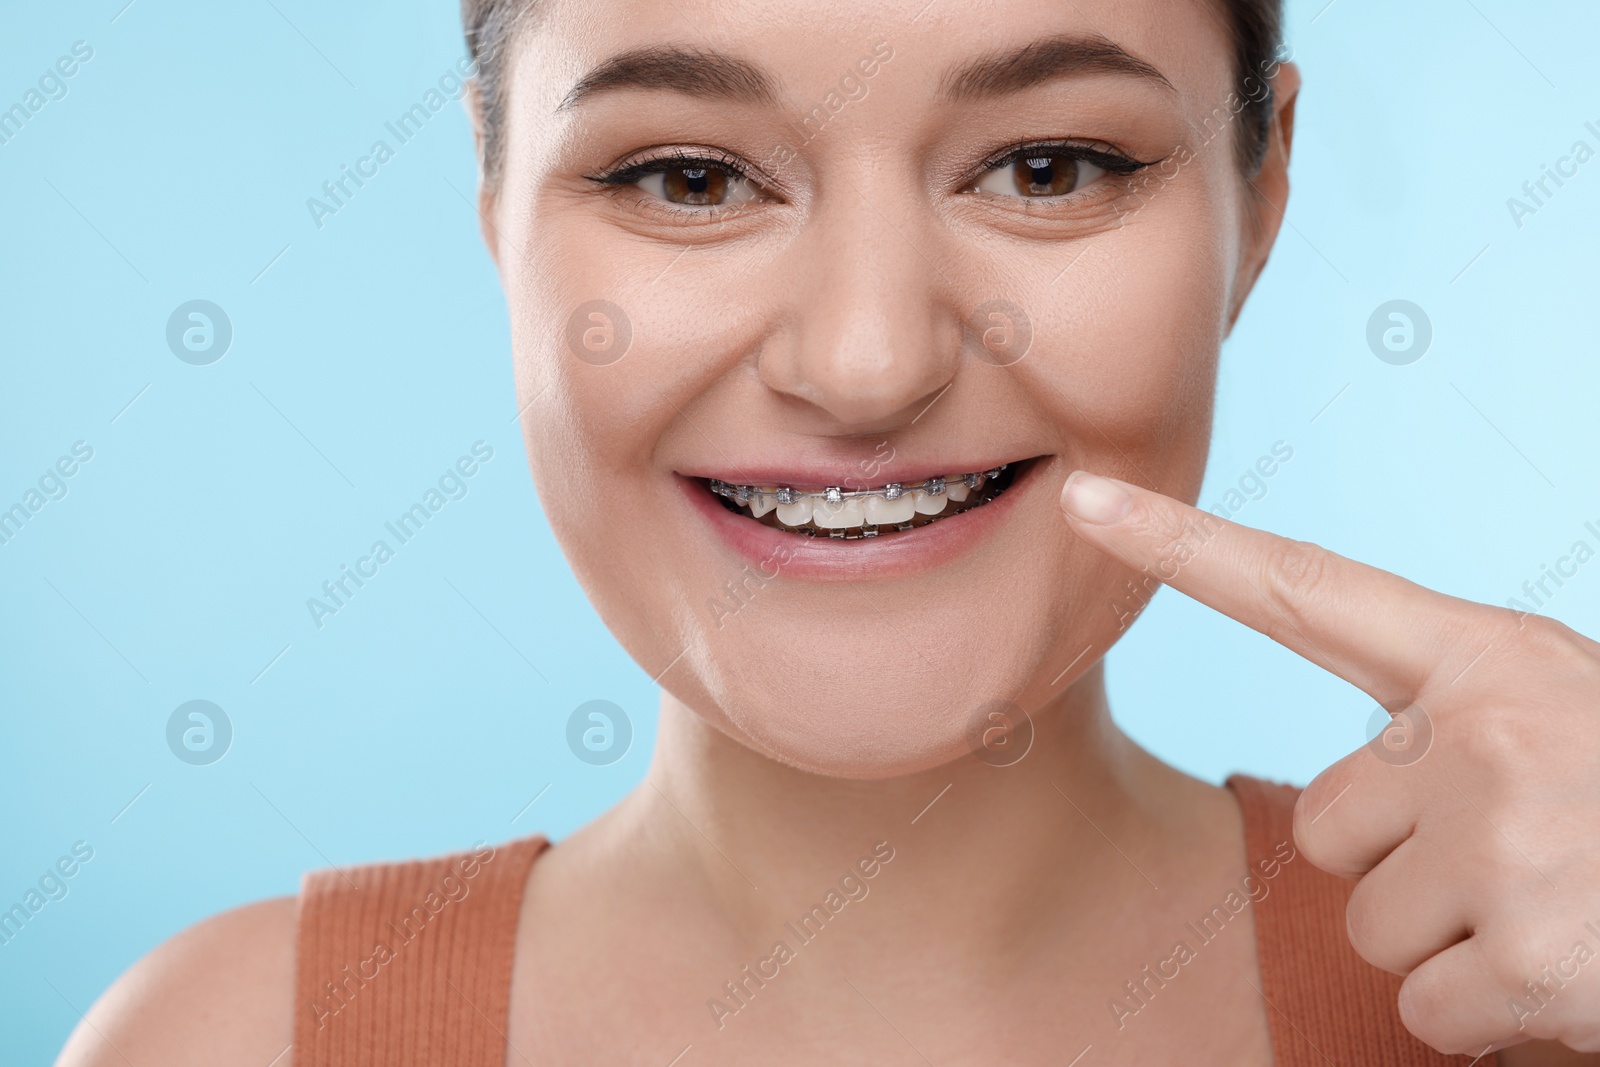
(409, 965)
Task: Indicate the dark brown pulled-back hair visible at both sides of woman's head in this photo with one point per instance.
(495, 26)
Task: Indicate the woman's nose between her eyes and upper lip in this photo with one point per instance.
(870, 338)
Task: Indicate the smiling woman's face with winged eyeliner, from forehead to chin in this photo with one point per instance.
(809, 244)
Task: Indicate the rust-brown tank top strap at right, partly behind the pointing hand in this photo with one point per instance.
(1326, 1004)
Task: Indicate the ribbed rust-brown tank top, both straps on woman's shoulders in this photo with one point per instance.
(409, 965)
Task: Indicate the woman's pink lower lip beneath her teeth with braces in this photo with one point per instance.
(834, 559)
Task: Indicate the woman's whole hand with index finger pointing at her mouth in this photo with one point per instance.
(1473, 823)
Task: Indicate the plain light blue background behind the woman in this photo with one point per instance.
(374, 353)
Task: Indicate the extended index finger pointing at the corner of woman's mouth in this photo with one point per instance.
(1375, 629)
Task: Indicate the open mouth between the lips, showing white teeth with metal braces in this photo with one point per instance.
(870, 513)
